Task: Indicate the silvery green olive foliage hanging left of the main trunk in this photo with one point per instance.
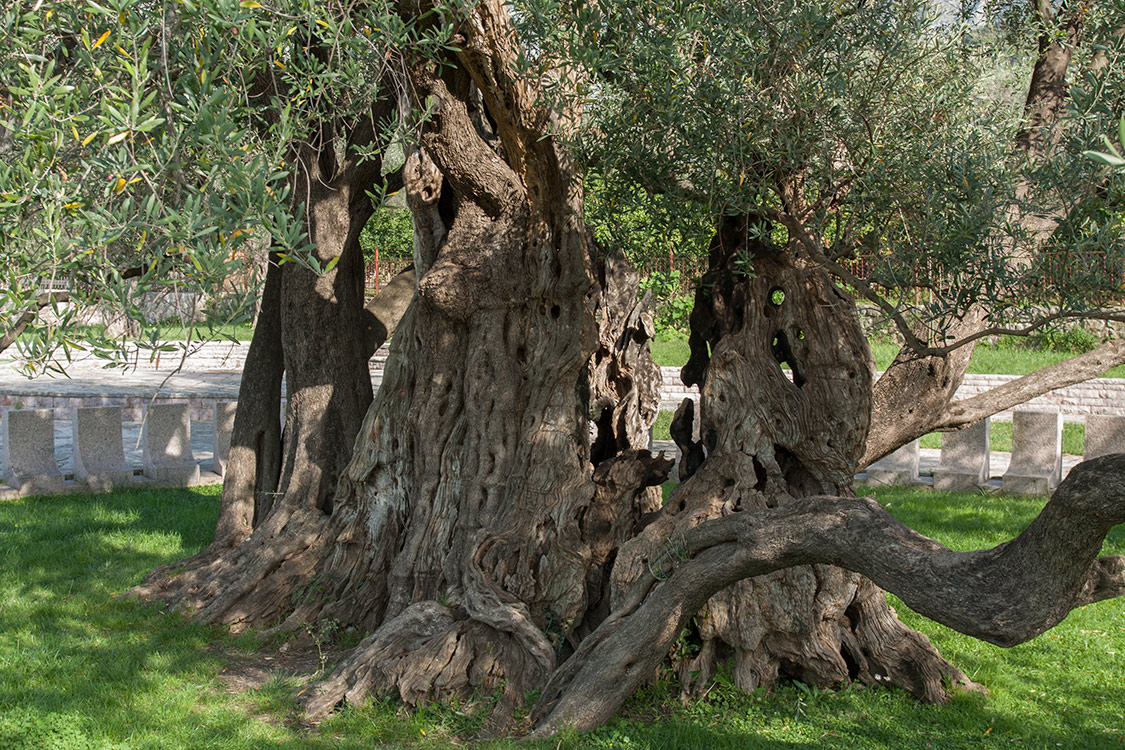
(161, 137)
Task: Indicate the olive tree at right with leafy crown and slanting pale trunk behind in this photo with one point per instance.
(898, 149)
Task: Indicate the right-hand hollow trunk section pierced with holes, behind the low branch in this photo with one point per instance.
(771, 438)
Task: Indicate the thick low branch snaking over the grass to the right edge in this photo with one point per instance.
(1006, 595)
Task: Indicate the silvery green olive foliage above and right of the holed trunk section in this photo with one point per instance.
(883, 131)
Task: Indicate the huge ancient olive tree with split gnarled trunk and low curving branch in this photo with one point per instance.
(480, 535)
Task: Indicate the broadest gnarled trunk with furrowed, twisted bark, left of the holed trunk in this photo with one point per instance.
(472, 534)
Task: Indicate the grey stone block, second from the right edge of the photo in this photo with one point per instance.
(1037, 454)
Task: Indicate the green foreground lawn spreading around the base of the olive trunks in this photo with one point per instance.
(83, 668)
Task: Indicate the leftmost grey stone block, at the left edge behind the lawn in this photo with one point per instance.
(30, 465)
